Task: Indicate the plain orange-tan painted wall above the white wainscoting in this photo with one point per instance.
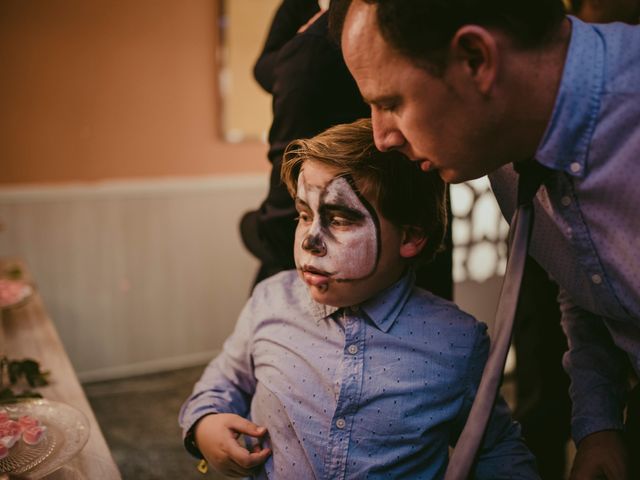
(104, 89)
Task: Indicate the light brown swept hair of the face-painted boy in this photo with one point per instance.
(404, 194)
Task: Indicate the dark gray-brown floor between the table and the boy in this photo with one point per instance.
(139, 419)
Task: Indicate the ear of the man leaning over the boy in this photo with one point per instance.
(476, 49)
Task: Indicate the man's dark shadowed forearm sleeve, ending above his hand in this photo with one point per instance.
(597, 369)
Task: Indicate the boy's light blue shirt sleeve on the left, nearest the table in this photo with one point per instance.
(227, 384)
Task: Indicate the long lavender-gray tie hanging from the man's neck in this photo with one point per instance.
(531, 175)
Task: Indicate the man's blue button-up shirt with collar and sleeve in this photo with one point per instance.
(587, 216)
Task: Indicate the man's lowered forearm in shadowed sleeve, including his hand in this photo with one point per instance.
(598, 373)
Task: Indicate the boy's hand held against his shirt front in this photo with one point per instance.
(217, 438)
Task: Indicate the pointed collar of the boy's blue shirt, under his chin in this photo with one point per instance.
(382, 309)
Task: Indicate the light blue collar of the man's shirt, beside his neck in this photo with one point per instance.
(565, 144)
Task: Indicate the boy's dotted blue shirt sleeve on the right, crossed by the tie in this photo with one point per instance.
(503, 453)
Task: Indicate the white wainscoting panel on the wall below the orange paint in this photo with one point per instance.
(138, 276)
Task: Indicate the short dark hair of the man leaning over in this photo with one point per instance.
(422, 29)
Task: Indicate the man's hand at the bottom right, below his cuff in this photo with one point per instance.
(601, 455)
